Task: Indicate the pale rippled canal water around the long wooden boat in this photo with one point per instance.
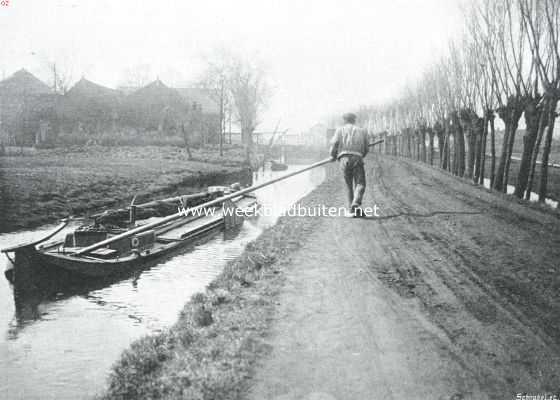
(60, 342)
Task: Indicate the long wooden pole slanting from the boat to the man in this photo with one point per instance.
(195, 209)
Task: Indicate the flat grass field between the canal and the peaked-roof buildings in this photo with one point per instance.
(49, 184)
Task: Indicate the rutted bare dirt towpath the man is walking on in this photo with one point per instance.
(453, 293)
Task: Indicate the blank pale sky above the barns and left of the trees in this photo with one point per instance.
(322, 56)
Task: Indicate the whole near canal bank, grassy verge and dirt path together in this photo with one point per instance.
(450, 293)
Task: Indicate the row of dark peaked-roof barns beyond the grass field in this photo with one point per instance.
(31, 113)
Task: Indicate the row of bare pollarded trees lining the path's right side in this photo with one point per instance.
(506, 66)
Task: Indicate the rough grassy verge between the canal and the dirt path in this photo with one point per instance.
(210, 352)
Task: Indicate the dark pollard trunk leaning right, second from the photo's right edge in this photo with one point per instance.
(532, 119)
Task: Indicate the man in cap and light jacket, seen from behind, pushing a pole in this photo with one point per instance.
(349, 146)
